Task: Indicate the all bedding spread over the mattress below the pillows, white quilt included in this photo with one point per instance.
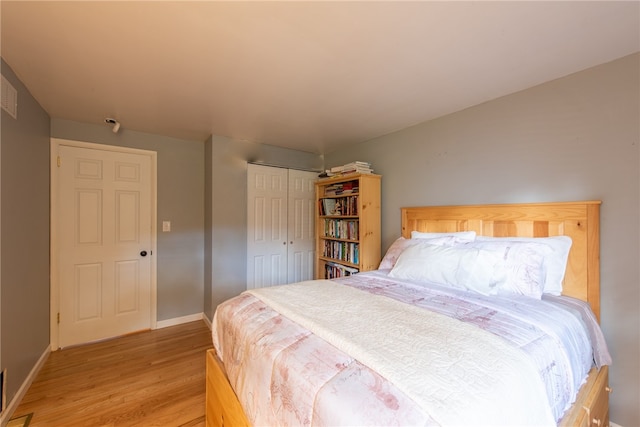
(284, 374)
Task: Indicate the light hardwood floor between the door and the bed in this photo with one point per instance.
(153, 378)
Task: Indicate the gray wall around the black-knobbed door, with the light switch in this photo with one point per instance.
(180, 200)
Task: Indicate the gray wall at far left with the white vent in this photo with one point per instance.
(24, 270)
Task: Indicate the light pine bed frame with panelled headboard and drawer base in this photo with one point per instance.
(578, 220)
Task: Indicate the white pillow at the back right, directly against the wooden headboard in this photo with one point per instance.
(555, 257)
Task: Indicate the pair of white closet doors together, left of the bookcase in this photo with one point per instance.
(280, 226)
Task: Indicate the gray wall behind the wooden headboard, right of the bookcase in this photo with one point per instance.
(574, 138)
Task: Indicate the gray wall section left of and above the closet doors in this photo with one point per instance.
(227, 209)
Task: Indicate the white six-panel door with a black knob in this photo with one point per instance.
(104, 244)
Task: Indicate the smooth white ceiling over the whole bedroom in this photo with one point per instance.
(303, 75)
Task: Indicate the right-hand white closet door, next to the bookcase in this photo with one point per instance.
(300, 225)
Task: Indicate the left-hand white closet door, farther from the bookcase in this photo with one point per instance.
(266, 226)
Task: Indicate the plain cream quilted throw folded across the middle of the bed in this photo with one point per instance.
(466, 370)
